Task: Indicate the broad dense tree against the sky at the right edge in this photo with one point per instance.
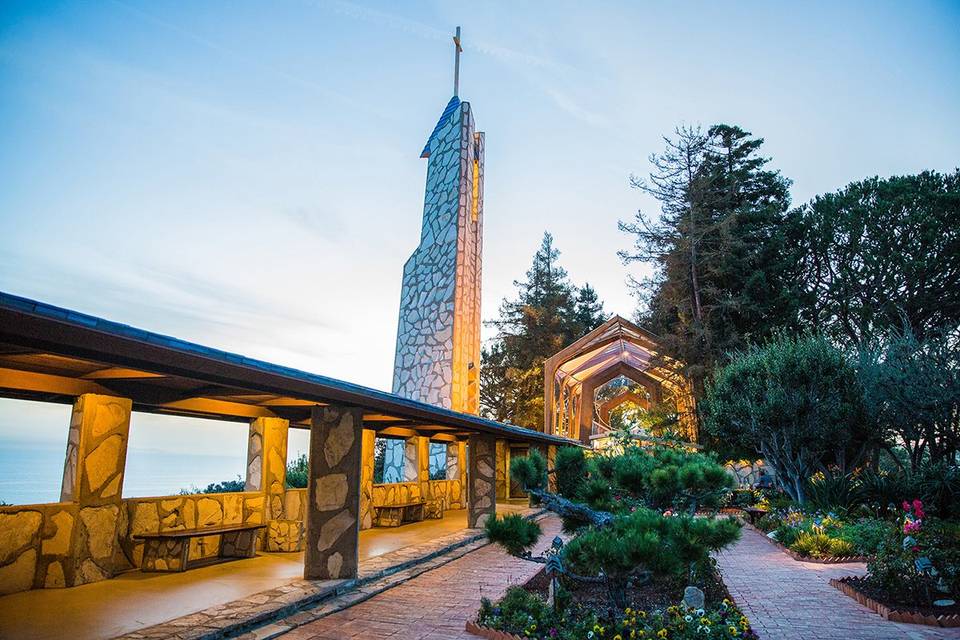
(880, 253)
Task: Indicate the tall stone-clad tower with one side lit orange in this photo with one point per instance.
(438, 335)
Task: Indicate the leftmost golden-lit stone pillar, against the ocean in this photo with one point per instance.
(93, 479)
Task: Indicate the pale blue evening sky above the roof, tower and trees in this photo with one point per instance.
(246, 175)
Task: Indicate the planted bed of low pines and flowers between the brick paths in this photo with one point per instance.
(638, 563)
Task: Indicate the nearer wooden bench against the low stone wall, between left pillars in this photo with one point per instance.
(170, 550)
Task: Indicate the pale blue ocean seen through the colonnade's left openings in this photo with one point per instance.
(31, 474)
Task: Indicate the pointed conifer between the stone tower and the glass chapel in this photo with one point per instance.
(548, 313)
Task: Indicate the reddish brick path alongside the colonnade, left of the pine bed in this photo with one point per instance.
(433, 606)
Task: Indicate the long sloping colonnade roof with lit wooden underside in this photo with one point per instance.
(52, 354)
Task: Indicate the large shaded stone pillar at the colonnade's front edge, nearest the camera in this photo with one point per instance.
(333, 496)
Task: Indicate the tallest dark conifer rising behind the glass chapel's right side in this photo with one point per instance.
(721, 247)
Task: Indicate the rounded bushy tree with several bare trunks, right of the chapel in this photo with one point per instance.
(798, 402)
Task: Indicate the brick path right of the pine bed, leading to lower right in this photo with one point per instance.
(790, 600)
